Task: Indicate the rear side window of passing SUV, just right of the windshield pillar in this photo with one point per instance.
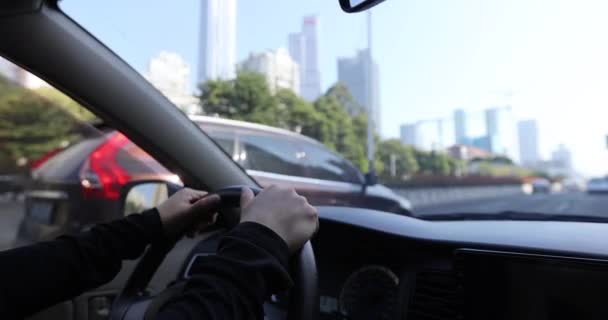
(271, 154)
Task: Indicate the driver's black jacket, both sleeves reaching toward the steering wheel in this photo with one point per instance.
(250, 265)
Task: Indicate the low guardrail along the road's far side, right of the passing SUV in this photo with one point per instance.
(422, 197)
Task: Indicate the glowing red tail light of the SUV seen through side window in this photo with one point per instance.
(102, 176)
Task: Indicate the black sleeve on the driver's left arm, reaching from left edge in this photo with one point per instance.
(35, 277)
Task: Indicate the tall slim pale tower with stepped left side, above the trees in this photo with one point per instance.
(304, 49)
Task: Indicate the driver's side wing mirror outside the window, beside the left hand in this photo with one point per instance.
(143, 195)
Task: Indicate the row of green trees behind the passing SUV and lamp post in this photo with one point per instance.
(335, 119)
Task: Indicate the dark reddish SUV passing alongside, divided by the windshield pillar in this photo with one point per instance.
(92, 171)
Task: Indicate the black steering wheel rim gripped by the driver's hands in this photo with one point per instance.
(132, 303)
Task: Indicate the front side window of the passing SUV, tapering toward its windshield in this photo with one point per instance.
(326, 165)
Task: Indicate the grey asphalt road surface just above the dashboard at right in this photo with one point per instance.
(558, 203)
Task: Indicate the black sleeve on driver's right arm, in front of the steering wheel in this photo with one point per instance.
(250, 265)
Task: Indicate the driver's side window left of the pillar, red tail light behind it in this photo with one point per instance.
(60, 172)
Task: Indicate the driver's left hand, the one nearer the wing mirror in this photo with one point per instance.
(187, 211)
